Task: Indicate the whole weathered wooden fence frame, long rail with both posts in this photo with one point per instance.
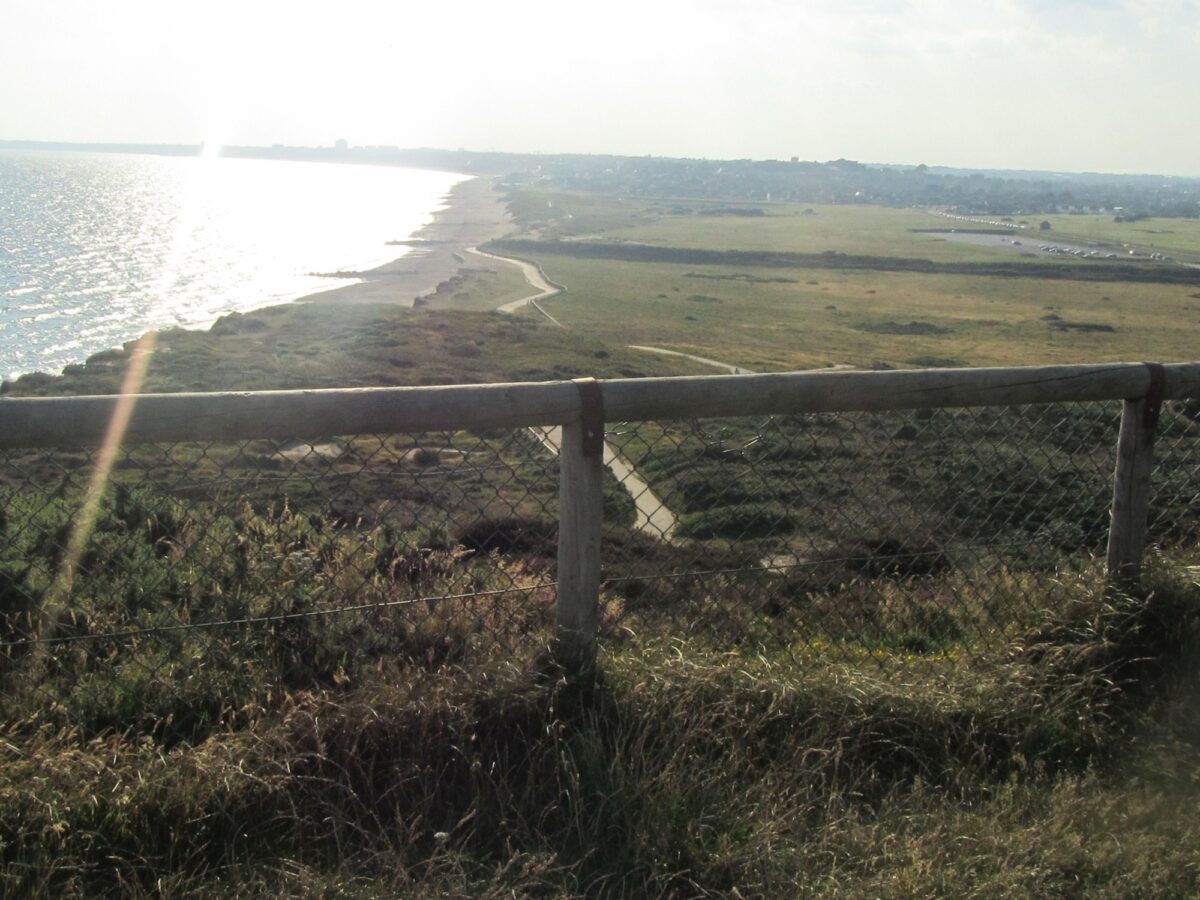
(584, 406)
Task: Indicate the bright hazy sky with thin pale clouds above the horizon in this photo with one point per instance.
(1077, 86)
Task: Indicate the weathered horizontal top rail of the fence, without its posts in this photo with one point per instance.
(73, 422)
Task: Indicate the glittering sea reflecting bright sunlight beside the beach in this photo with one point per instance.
(98, 249)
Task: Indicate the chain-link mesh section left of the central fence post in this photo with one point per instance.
(203, 580)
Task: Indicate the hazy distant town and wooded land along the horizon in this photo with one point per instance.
(839, 182)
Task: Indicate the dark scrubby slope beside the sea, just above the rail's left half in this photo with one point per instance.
(317, 346)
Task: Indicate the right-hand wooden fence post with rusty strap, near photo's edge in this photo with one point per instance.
(1131, 483)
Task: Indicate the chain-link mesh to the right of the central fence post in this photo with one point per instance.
(878, 537)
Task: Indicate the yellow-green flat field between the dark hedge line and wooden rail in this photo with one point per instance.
(818, 317)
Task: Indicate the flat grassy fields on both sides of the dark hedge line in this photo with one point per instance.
(773, 317)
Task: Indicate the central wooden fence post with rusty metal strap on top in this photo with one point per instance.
(580, 514)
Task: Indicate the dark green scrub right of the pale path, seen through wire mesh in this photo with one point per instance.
(829, 476)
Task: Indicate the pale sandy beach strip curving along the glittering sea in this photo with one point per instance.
(476, 214)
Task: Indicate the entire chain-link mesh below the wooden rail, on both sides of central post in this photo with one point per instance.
(200, 581)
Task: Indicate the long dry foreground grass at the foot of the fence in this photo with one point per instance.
(1067, 767)
